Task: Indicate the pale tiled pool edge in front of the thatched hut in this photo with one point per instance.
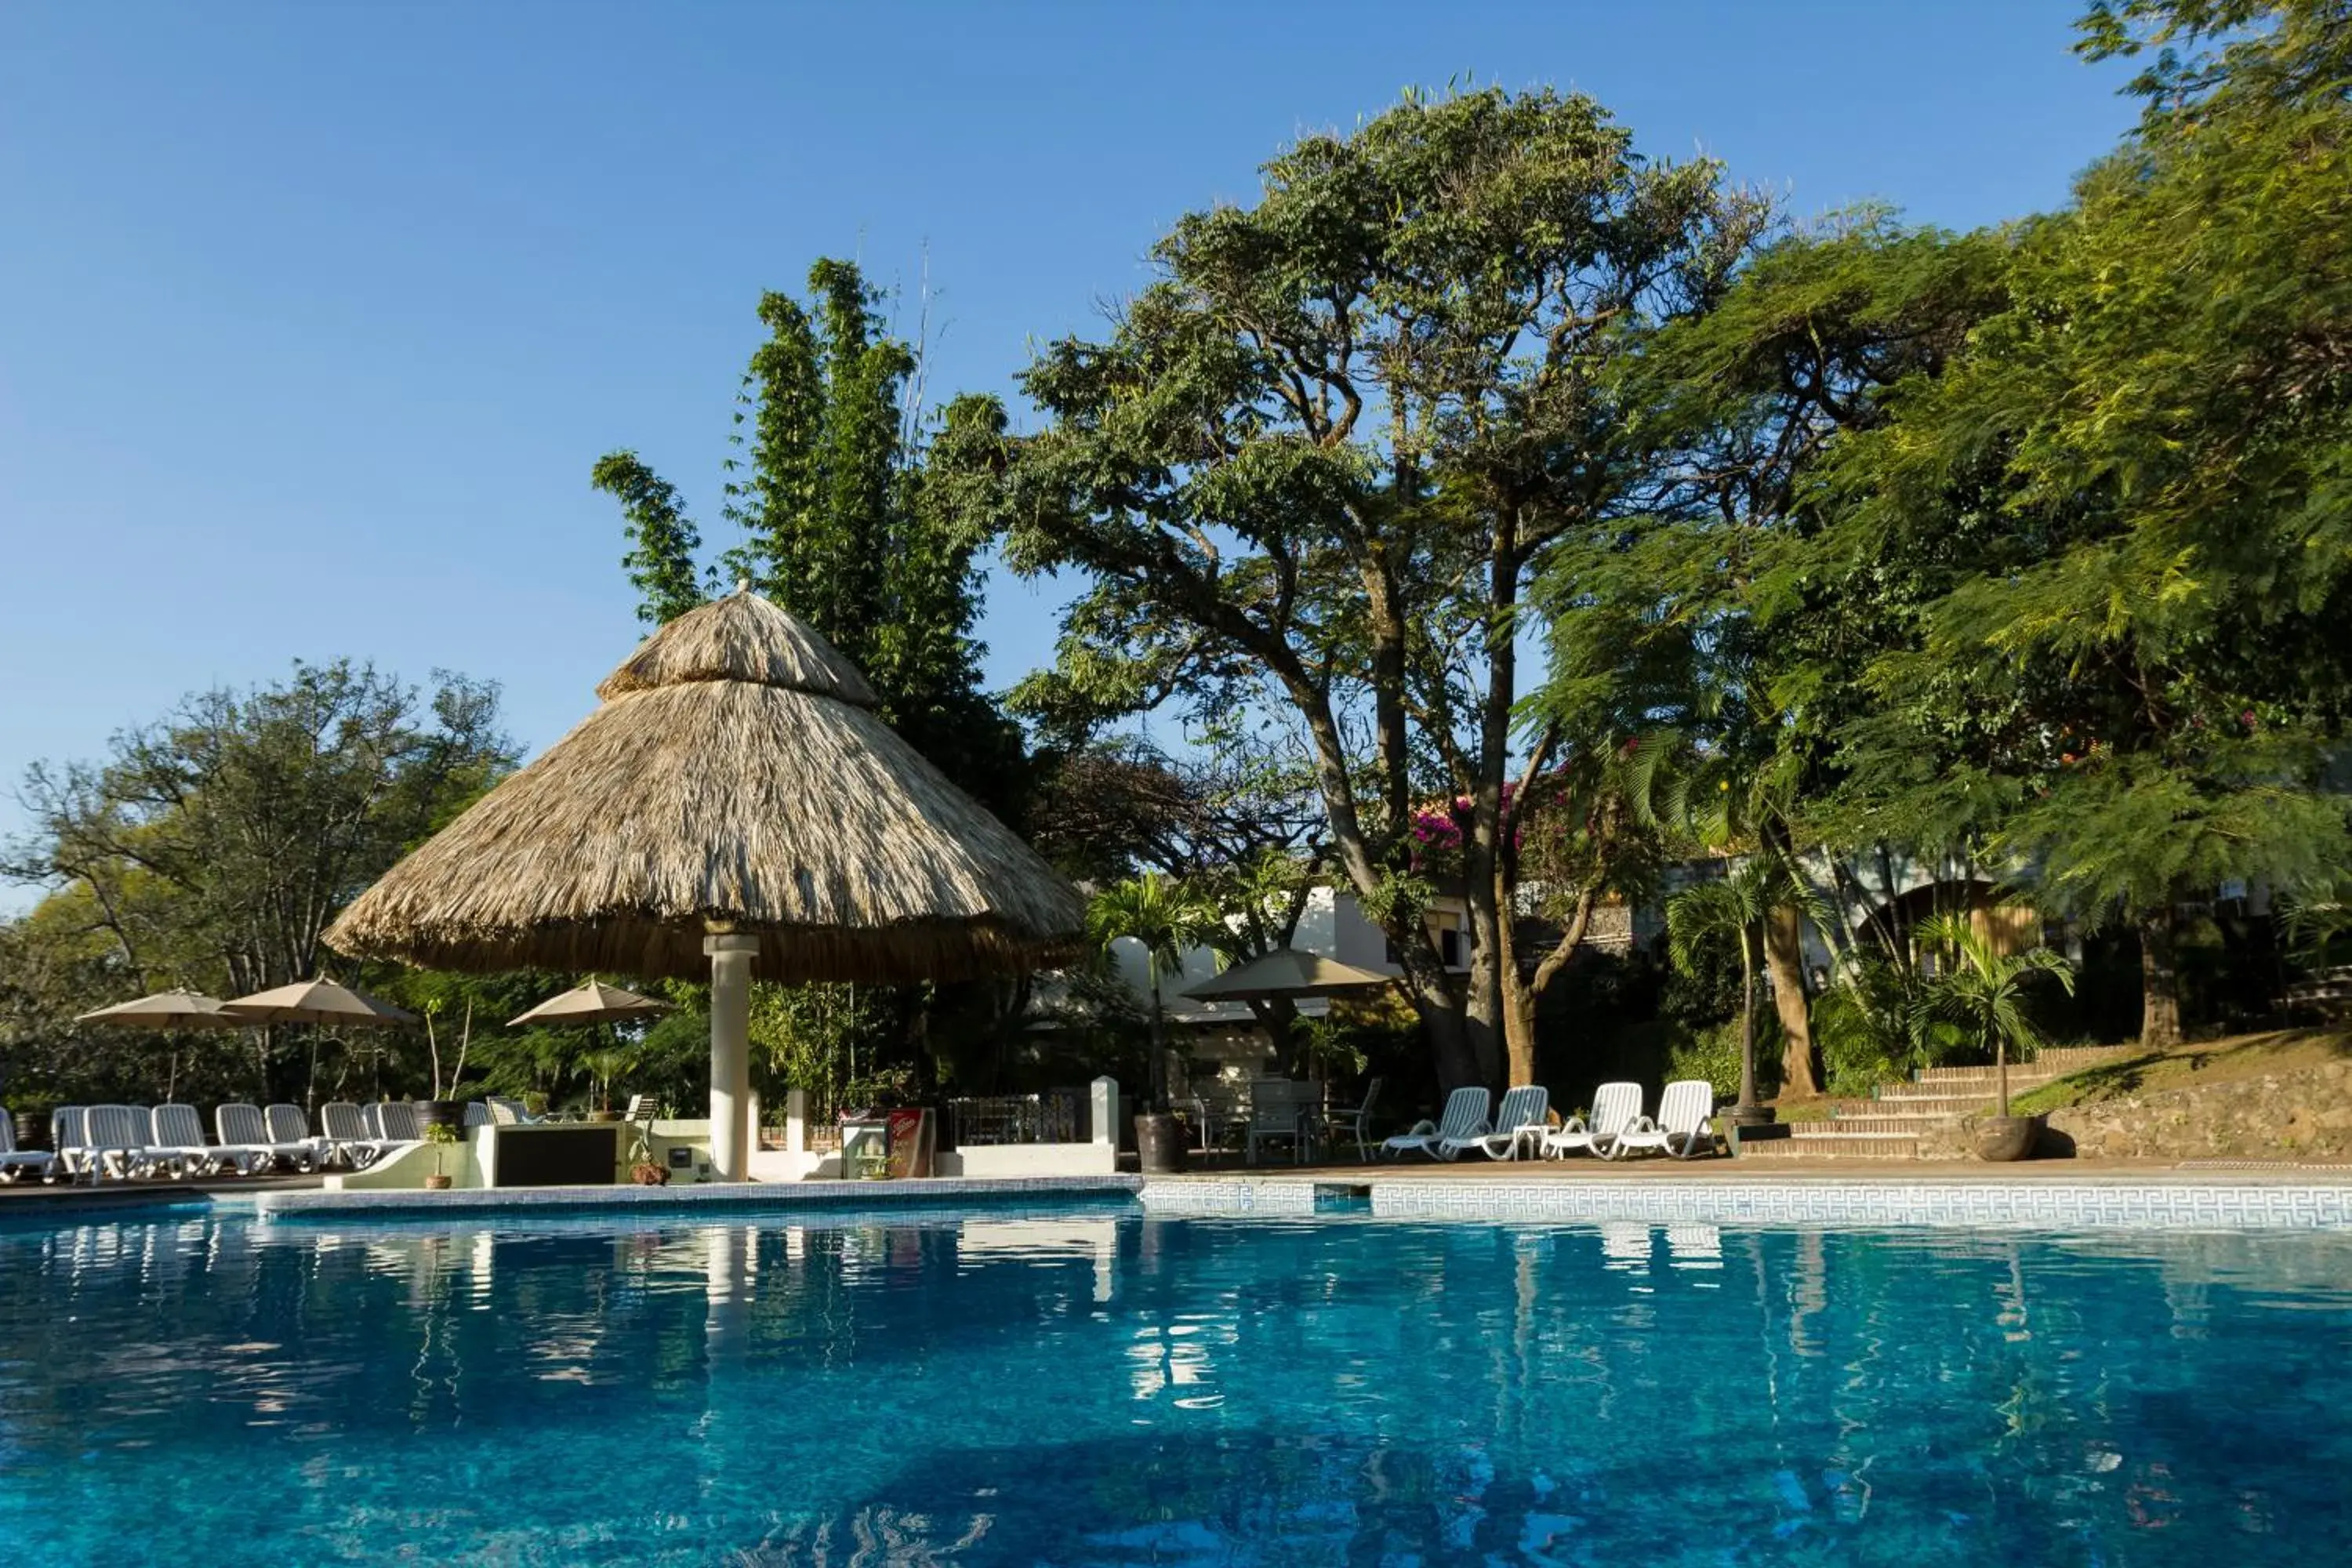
(770, 1198)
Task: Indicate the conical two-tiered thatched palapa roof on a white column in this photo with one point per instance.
(735, 779)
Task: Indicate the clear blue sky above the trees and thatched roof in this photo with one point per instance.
(319, 314)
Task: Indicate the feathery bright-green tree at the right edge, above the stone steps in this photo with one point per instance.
(2134, 483)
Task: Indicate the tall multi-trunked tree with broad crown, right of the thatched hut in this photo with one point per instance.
(1323, 457)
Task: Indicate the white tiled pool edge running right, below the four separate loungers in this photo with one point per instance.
(2043, 1202)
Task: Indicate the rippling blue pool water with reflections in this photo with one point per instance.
(1095, 1388)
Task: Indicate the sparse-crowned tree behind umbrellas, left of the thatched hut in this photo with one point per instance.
(213, 847)
